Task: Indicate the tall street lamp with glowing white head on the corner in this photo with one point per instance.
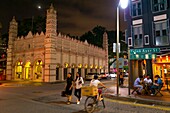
(123, 4)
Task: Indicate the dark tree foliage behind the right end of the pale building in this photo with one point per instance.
(95, 37)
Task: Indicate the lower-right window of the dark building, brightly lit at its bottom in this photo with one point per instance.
(161, 33)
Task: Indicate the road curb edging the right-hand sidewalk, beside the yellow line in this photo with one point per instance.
(138, 100)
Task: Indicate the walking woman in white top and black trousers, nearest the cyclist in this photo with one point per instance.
(78, 84)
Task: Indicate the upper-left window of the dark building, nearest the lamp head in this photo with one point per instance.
(136, 8)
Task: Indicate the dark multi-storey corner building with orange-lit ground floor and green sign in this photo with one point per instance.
(148, 37)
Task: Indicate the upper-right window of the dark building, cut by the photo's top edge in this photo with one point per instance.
(159, 5)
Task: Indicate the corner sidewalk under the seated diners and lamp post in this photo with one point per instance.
(143, 99)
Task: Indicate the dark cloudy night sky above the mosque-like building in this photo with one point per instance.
(75, 17)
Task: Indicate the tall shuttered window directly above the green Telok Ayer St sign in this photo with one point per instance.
(138, 36)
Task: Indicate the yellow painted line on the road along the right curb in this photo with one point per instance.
(141, 105)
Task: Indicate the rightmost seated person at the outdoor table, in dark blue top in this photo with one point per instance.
(156, 85)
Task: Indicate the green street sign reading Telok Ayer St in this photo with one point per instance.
(144, 50)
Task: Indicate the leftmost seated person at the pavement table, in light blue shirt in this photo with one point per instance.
(137, 84)
